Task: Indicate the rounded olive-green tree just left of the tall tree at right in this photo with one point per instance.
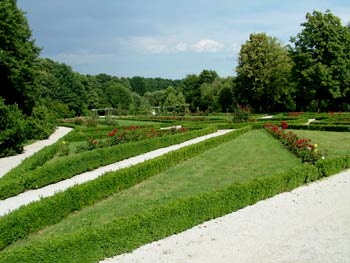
(263, 74)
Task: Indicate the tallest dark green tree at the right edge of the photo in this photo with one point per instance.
(321, 55)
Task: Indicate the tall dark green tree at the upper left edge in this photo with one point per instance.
(18, 55)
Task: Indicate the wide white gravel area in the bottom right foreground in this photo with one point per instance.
(310, 224)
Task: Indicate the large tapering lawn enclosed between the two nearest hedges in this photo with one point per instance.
(254, 154)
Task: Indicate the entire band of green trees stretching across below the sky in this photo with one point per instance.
(312, 73)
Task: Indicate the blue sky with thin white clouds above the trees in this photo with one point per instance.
(162, 38)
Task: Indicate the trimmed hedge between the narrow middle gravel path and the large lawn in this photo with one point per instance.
(51, 210)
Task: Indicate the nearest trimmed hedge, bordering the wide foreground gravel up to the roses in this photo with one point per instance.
(123, 235)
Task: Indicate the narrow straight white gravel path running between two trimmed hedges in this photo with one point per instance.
(15, 202)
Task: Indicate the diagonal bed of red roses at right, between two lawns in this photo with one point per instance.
(301, 147)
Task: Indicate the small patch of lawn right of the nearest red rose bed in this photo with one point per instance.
(334, 144)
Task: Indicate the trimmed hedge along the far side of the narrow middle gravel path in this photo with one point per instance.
(68, 166)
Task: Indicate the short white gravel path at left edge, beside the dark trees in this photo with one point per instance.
(7, 163)
